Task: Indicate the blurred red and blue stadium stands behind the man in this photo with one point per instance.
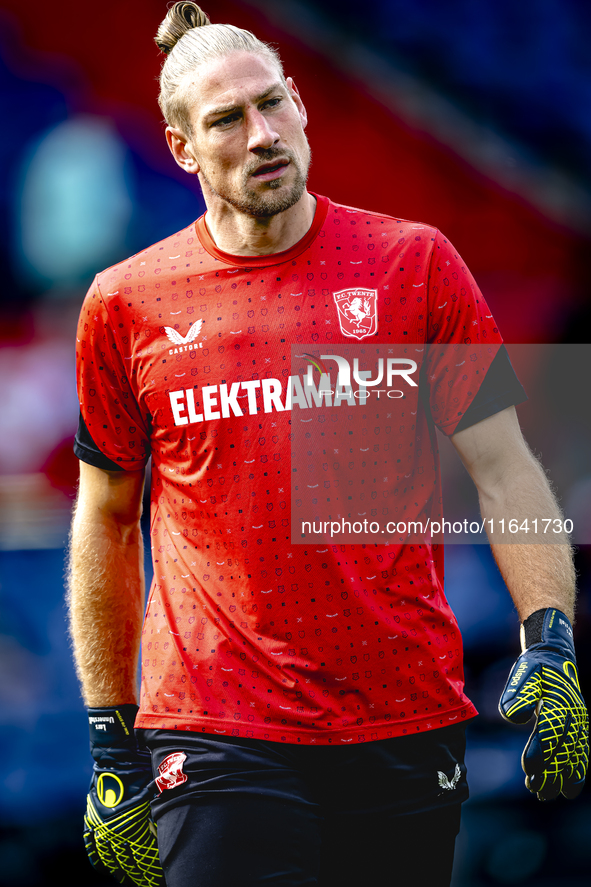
(472, 115)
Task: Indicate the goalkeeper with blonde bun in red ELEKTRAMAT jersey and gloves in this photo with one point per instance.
(303, 704)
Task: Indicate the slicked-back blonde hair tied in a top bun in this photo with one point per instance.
(189, 39)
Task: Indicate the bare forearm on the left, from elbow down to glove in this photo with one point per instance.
(106, 599)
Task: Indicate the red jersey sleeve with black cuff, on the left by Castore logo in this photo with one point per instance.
(112, 433)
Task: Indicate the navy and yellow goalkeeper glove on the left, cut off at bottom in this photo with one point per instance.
(119, 834)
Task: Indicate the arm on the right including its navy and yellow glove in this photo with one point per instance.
(543, 681)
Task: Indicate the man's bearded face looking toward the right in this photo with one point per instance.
(248, 134)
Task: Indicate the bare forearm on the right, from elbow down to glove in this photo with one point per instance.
(537, 573)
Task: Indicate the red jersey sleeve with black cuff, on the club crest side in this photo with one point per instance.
(467, 375)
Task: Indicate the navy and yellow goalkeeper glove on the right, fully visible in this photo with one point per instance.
(544, 682)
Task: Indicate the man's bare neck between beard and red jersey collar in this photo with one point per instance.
(235, 233)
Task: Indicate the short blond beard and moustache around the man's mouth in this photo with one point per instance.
(268, 203)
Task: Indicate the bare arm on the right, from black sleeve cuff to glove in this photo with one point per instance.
(512, 484)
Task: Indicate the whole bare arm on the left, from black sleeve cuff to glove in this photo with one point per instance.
(107, 584)
